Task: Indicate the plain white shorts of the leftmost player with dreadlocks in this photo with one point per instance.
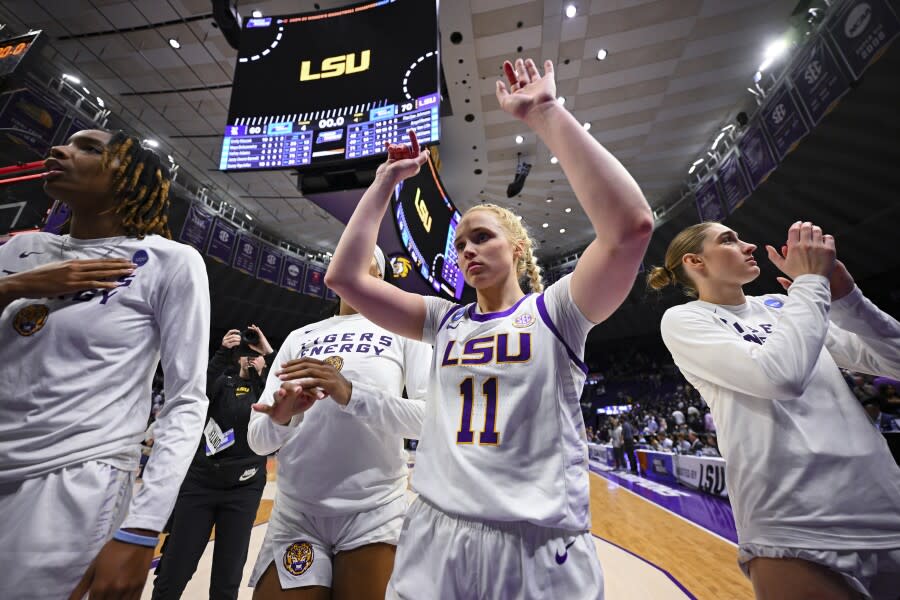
(54, 525)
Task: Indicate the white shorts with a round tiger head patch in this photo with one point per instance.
(303, 546)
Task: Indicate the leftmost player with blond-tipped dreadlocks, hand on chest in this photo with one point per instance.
(85, 319)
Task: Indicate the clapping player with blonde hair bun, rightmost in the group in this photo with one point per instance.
(815, 492)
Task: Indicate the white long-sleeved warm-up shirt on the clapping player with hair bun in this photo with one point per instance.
(804, 466)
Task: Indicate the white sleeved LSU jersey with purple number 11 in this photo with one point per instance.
(503, 438)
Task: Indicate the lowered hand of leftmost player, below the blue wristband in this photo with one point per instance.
(118, 573)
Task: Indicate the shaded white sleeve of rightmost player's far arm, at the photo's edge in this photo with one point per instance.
(862, 337)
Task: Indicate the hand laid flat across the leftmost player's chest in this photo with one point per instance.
(54, 279)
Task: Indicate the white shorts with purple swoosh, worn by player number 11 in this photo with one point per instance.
(444, 557)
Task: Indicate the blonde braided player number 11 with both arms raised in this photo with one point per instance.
(502, 465)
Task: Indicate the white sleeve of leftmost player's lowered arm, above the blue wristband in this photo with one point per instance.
(183, 314)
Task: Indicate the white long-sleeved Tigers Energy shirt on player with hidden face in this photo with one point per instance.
(335, 460)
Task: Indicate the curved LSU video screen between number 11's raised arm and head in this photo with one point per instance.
(426, 220)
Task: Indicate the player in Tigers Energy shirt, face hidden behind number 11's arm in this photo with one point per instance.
(342, 473)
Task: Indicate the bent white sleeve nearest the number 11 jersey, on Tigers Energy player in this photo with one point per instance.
(393, 414)
